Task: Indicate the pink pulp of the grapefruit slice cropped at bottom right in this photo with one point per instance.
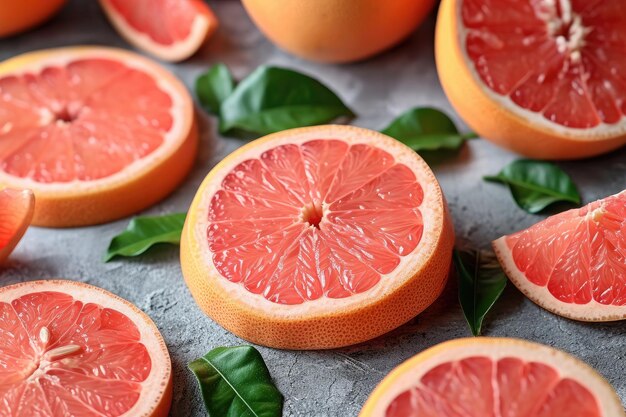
(479, 386)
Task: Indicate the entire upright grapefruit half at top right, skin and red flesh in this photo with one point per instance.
(546, 79)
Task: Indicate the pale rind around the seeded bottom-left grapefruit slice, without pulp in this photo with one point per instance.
(157, 389)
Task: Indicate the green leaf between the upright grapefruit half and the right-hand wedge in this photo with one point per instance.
(536, 185)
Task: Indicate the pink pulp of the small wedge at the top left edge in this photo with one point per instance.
(164, 21)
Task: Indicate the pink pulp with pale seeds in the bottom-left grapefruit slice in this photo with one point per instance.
(61, 356)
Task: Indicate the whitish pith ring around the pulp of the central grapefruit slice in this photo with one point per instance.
(431, 209)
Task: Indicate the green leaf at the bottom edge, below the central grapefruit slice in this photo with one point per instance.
(235, 382)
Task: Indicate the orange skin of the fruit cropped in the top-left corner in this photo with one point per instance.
(18, 16)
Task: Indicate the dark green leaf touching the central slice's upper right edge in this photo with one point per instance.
(426, 129)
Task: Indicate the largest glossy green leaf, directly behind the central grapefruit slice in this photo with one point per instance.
(273, 99)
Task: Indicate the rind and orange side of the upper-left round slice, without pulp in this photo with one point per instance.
(140, 184)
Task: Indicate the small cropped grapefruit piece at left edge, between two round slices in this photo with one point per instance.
(16, 212)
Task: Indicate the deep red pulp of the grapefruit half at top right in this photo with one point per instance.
(562, 59)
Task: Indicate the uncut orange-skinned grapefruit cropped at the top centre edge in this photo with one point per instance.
(337, 30)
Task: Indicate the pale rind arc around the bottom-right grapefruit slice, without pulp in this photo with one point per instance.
(407, 374)
